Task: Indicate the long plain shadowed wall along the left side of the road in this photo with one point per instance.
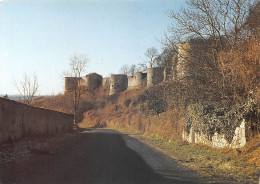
(18, 119)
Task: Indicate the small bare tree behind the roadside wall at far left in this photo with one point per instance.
(28, 87)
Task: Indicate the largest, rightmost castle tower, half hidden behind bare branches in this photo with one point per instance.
(196, 62)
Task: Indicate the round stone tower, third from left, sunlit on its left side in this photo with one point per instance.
(118, 83)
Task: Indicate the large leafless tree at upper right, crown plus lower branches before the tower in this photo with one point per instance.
(211, 26)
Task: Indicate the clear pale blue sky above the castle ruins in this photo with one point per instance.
(39, 36)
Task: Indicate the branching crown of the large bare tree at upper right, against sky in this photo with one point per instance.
(220, 20)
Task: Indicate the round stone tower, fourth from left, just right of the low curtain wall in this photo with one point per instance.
(155, 75)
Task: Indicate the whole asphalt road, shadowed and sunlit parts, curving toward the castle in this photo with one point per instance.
(104, 157)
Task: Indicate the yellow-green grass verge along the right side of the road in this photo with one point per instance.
(212, 163)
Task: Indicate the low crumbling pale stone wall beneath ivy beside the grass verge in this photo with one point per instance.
(218, 139)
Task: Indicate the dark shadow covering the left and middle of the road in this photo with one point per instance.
(101, 156)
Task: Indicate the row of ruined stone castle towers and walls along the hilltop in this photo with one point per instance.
(117, 83)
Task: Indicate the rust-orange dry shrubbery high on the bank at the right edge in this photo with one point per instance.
(241, 68)
